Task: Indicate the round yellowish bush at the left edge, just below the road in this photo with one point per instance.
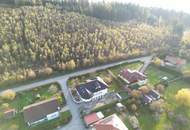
(8, 94)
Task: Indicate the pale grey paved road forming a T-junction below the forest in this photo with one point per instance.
(76, 122)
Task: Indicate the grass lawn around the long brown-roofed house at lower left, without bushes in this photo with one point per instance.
(29, 97)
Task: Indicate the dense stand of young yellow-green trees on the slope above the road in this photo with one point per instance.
(38, 40)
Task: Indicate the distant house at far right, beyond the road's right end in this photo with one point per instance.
(174, 61)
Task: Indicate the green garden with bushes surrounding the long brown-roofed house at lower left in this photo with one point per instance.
(12, 100)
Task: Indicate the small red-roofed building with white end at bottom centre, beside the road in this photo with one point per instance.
(92, 118)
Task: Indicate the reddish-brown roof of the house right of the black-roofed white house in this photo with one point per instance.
(132, 76)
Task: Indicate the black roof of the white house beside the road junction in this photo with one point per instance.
(86, 90)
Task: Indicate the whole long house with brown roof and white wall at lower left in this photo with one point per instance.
(41, 111)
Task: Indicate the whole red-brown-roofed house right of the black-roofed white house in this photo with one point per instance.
(132, 77)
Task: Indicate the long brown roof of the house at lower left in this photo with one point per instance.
(40, 110)
